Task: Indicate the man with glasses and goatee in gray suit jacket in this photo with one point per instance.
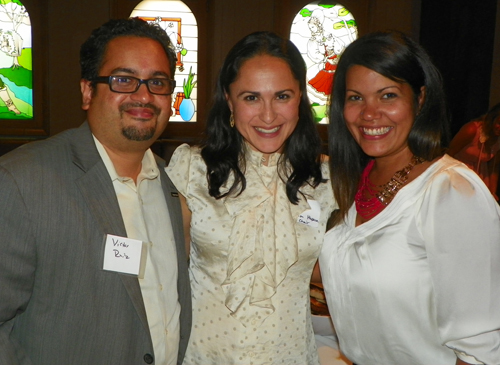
(93, 268)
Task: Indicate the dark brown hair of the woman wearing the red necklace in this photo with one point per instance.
(400, 59)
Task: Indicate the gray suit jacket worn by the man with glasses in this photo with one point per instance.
(57, 305)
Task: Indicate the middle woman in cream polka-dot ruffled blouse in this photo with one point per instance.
(257, 204)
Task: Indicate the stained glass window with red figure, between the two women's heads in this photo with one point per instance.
(321, 33)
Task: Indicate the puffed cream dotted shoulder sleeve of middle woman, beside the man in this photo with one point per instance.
(182, 166)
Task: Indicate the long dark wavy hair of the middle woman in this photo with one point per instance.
(223, 148)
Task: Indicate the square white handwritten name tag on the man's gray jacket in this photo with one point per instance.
(124, 255)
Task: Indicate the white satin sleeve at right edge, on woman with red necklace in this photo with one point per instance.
(460, 222)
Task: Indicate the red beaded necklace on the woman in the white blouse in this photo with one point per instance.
(370, 199)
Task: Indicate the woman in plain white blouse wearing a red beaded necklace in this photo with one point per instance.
(410, 268)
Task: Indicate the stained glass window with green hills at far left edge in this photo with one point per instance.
(16, 76)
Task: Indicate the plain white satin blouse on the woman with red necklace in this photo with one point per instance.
(420, 282)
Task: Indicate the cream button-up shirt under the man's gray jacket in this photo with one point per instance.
(146, 218)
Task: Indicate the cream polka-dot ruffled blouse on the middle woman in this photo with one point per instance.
(250, 264)
